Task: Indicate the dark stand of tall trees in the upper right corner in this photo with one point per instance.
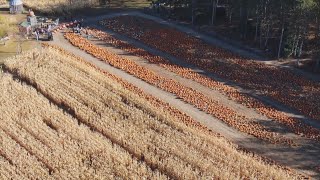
(282, 28)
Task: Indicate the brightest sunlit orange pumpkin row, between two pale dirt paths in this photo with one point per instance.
(188, 95)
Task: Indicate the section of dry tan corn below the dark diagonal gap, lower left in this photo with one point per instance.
(52, 144)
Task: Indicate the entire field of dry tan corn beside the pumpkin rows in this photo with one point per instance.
(63, 119)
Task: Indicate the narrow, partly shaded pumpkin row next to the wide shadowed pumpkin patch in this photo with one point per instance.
(294, 125)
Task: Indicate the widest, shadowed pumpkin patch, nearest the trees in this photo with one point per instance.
(279, 84)
